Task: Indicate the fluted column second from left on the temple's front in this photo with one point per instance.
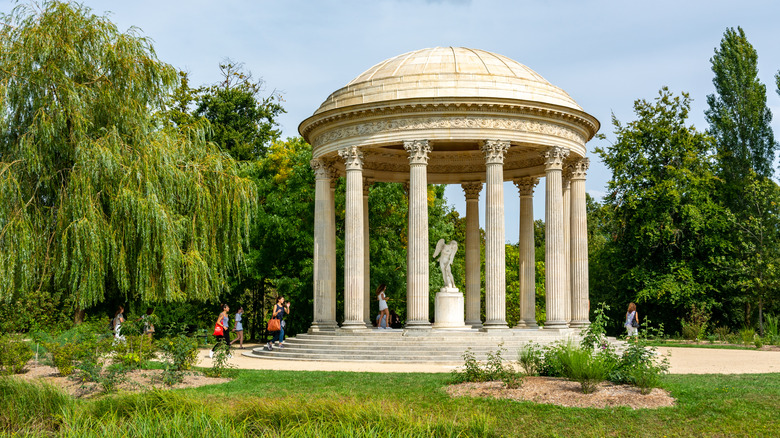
(353, 240)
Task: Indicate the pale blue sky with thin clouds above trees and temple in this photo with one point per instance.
(605, 54)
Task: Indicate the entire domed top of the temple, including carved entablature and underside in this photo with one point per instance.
(456, 99)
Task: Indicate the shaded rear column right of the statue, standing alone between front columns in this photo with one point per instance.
(527, 253)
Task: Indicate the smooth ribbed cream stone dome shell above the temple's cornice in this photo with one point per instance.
(442, 72)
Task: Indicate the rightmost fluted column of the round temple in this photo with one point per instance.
(579, 246)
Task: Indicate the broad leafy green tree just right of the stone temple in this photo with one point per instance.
(665, 224)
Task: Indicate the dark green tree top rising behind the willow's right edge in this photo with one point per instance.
(243, 122)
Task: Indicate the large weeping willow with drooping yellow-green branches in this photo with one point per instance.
(98, 195)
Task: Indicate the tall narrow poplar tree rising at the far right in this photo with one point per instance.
(738, 116)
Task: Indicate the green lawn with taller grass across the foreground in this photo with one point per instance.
(303, 404)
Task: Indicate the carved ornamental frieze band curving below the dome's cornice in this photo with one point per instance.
(417, 123)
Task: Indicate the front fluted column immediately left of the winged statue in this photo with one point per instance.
(417, 287)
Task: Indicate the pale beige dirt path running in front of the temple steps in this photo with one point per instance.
(681, 361)
